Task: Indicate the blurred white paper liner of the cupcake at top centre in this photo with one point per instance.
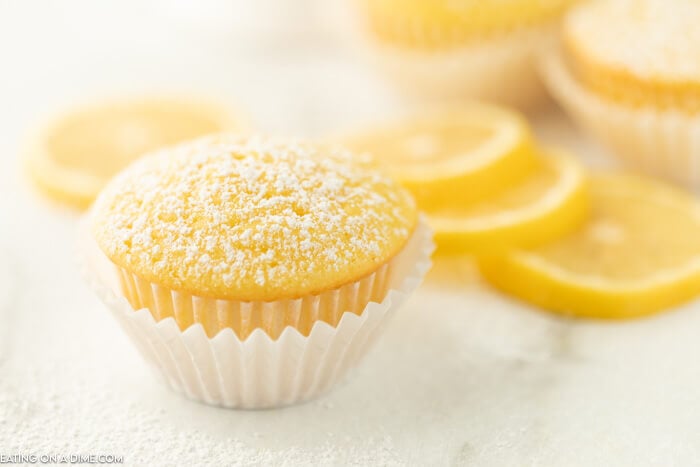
(502, 68)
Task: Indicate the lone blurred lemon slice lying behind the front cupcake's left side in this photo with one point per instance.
(72, 158)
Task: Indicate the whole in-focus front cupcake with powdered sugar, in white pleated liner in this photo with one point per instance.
(253, 273)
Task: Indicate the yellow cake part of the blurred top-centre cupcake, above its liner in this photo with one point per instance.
(446, 23)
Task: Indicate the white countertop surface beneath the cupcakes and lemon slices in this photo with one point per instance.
(463, 376)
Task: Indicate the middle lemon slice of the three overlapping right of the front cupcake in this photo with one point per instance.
(548, 204)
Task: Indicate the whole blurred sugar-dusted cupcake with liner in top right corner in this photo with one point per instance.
(627, 70)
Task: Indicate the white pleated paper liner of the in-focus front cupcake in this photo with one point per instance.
(258, 371)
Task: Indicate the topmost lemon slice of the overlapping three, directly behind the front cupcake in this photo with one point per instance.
(455, 155)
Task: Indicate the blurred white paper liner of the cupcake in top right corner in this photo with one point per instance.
(660, 143)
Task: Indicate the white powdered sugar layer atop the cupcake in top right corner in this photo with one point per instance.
(651, 38)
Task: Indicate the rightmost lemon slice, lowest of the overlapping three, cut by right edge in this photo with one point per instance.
(637, 254)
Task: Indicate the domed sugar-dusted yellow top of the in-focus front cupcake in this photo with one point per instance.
(251, 219)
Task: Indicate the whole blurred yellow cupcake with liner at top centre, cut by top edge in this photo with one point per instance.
(447, 49)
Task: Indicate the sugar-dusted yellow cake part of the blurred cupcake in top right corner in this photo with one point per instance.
(639, 51)
